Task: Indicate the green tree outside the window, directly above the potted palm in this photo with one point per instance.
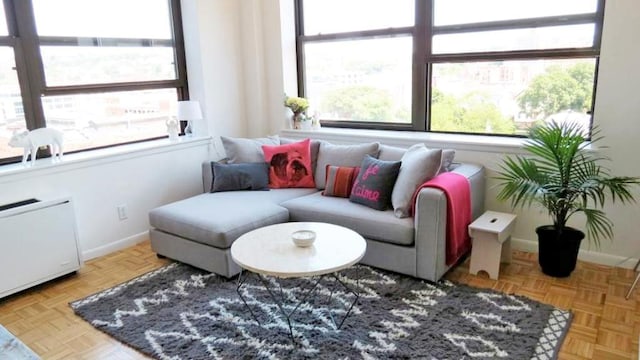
(559, 89)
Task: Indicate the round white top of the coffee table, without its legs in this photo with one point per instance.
(270, 250)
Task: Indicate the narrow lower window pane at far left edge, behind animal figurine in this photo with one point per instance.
(11, 110)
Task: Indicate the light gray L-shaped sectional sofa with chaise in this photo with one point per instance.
(200, 230)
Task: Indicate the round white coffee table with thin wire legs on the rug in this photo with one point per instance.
(270, 251)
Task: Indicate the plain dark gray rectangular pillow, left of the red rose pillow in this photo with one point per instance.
(247, 176)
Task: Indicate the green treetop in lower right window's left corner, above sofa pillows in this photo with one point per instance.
(473, 113)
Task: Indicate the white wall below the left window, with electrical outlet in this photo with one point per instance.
(142, 180)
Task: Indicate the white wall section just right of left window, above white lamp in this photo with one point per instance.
(215, 64)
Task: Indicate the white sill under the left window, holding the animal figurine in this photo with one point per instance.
(14, 172)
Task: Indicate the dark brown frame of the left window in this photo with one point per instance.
(26, 43)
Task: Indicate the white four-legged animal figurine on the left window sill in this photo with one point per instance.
(32, 140)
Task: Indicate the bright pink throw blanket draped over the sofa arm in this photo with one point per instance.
(457, 190)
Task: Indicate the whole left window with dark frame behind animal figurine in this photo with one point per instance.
(103, 72)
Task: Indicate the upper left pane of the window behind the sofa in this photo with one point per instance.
(331, 16)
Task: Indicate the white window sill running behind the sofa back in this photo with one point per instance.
(483, 143)
